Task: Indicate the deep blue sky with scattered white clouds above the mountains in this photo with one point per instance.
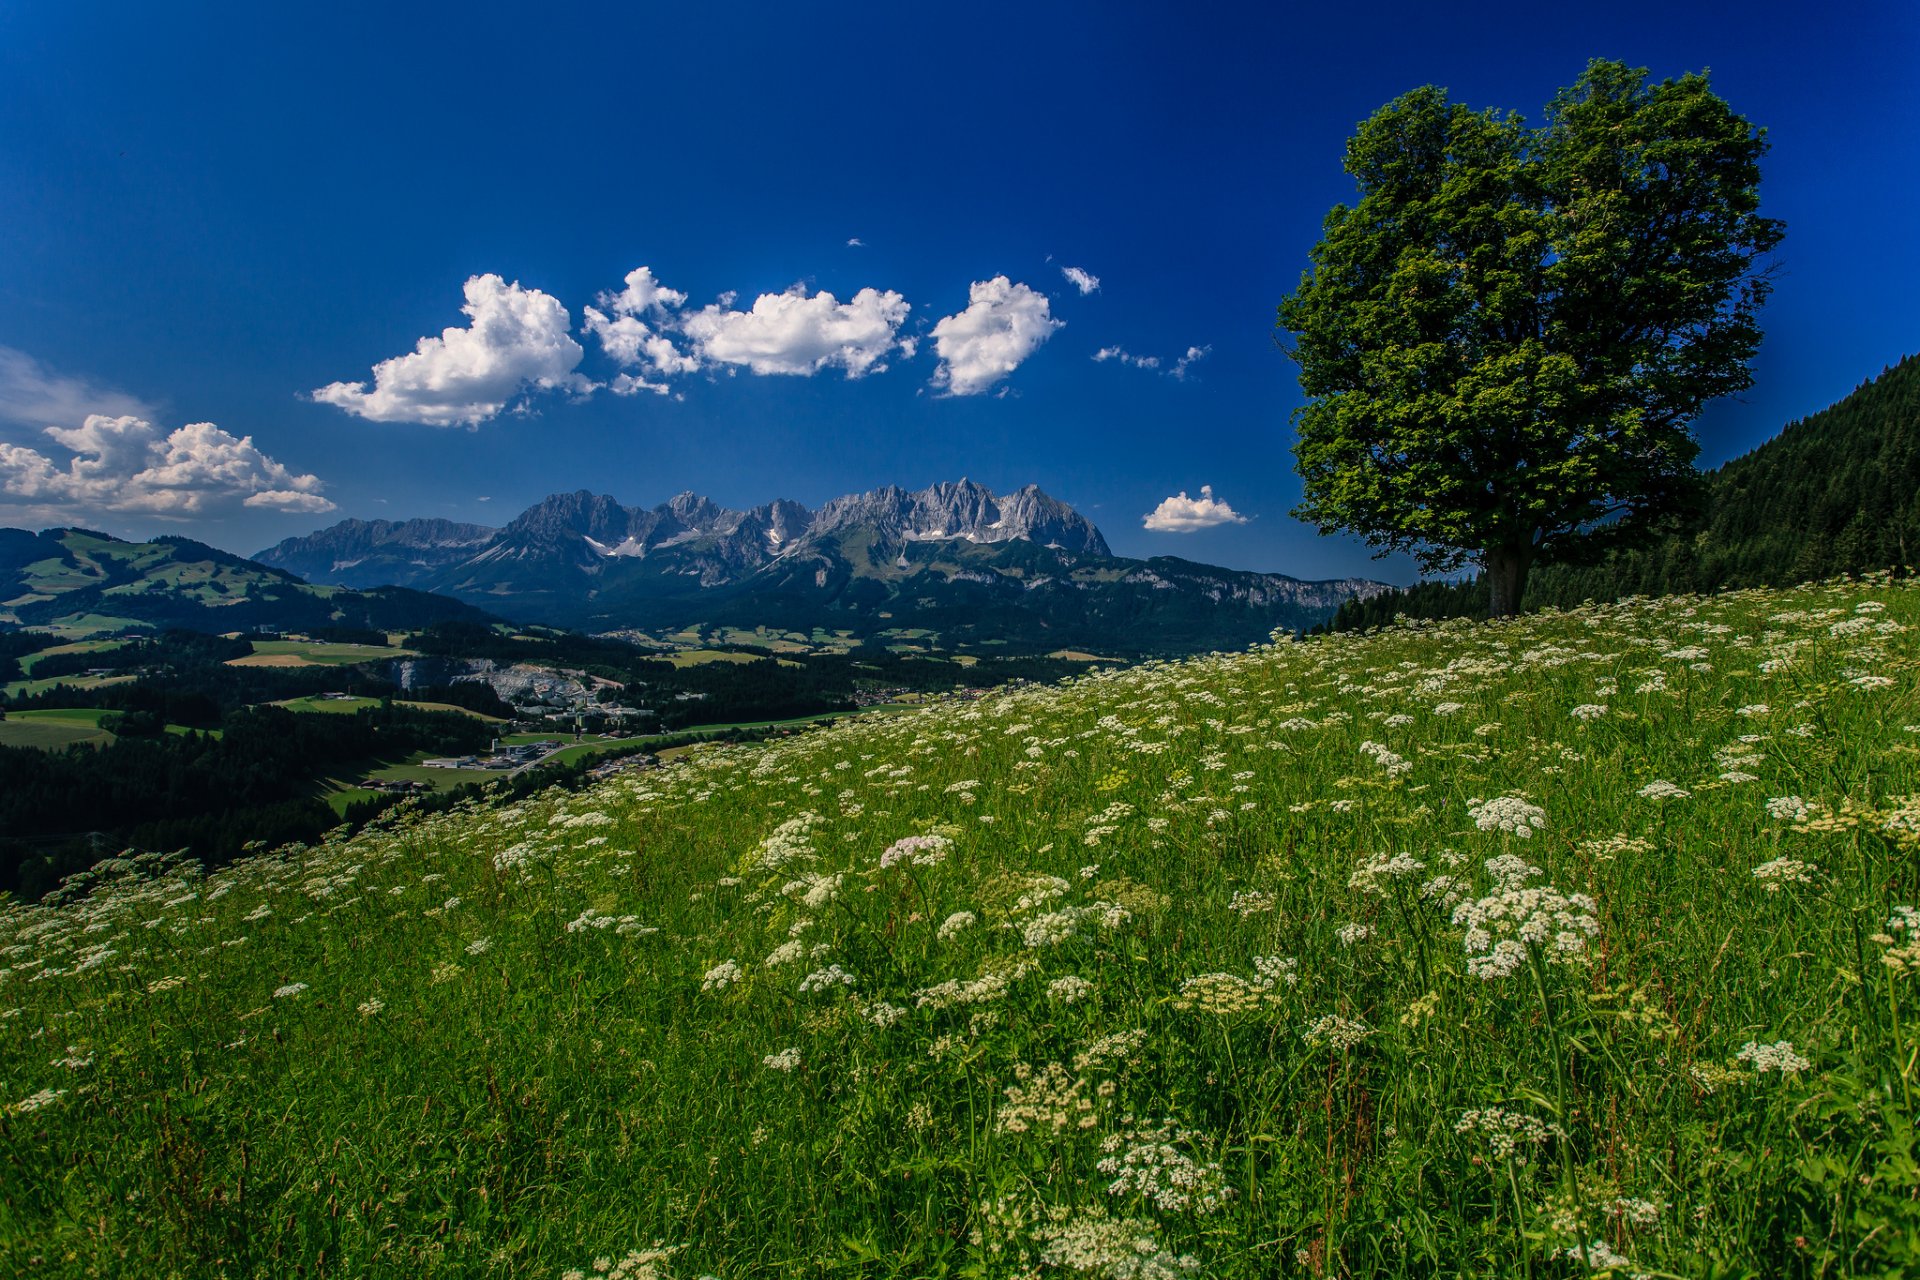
(214, 212)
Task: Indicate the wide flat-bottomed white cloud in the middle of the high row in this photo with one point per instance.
(798, 335)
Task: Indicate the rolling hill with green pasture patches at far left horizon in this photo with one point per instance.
(93, 582)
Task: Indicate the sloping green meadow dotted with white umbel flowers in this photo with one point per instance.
(1585, 943)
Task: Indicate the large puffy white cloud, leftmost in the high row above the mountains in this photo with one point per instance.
(516, 341)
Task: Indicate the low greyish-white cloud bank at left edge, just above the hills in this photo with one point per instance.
(128, 465)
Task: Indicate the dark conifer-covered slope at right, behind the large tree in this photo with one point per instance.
(1833, 494)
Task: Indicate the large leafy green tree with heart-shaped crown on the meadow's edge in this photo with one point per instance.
(1506, 341)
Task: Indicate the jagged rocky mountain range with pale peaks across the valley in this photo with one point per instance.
(978, 569)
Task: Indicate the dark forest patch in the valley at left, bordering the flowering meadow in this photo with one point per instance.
(212, 795)
